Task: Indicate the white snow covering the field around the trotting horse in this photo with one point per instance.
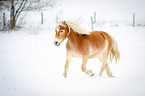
(31, 65)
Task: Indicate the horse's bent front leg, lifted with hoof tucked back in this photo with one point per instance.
(84, 62)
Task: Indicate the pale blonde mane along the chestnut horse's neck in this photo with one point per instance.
(75, 26)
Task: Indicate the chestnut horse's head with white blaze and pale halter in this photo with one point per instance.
(62, 31)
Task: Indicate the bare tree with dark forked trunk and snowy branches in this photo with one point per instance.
(16, 7)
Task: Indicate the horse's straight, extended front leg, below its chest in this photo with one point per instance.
(68, 59)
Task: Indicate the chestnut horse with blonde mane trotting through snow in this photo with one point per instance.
(85, 45)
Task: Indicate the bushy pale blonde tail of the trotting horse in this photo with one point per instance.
(114, 51)
